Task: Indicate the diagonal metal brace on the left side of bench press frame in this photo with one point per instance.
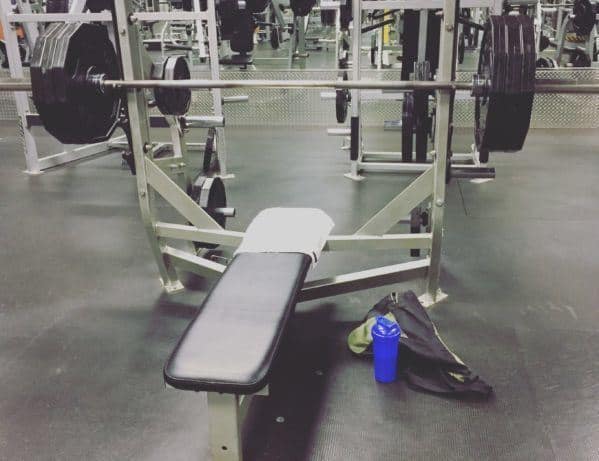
(173, 194)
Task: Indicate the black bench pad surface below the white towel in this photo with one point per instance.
(231, 344)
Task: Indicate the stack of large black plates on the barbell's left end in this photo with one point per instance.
(67, 62)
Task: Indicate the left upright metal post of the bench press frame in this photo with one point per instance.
(130, 43)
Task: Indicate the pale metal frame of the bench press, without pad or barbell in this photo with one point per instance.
(168, 177)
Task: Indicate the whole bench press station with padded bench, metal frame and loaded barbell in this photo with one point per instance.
(257, 292)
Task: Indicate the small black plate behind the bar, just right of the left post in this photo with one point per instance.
(174, 101)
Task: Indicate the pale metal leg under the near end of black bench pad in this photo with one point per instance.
(225, 427)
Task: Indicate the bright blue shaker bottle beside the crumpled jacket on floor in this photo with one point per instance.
(385, 335)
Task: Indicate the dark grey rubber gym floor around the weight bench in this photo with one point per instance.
(85, 328)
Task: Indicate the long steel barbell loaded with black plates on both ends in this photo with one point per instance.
(79, 96)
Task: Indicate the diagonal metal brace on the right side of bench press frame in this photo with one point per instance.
(408, 199)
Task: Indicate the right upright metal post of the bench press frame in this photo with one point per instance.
(443, 127)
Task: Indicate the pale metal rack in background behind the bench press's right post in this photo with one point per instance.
(362, 160)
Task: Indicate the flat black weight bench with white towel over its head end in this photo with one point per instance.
(229, 348)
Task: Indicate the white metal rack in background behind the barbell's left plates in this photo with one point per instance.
(35, 163)
